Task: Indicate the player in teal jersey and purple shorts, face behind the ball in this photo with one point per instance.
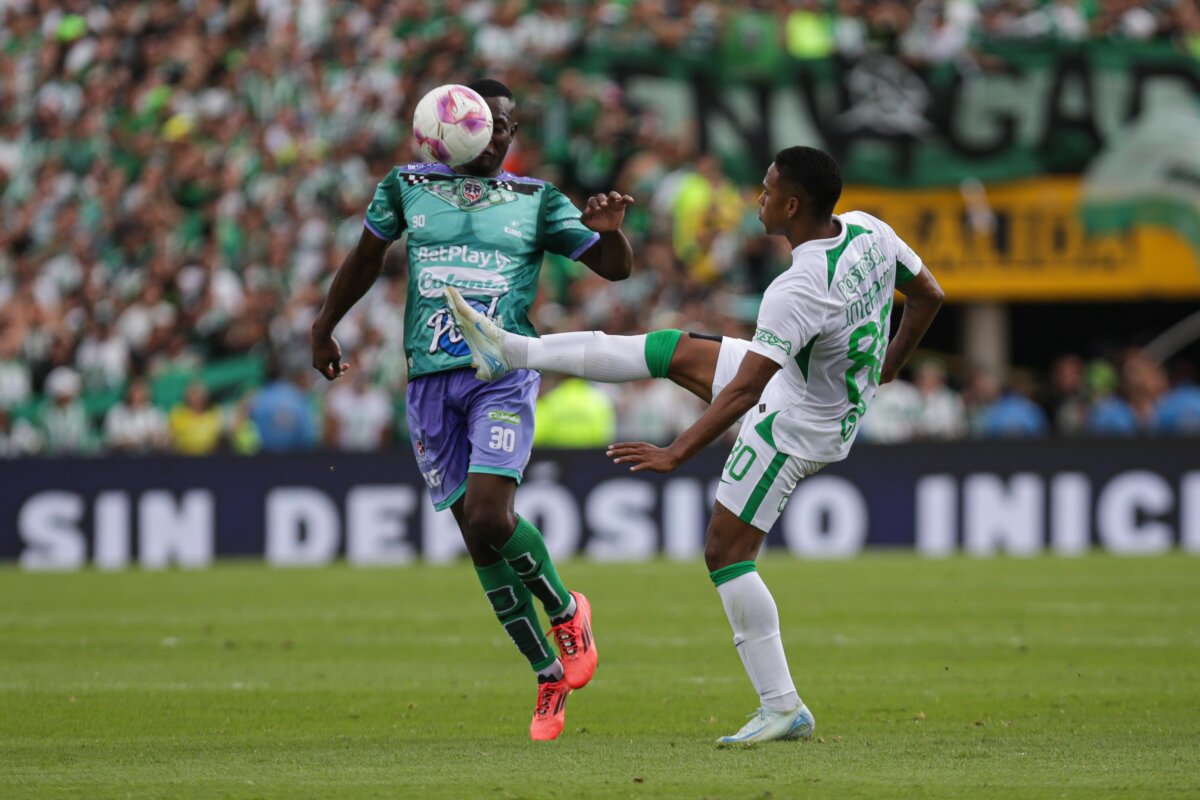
(484, 232)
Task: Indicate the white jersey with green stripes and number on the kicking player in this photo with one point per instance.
(826, 322)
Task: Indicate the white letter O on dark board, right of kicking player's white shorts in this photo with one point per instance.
(826, 518)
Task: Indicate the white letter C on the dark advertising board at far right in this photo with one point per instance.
(1119, 510)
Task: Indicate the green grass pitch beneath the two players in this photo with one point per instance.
(959, 678)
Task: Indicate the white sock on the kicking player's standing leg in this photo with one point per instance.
(755, 621)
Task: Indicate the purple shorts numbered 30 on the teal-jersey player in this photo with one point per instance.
(461, 425)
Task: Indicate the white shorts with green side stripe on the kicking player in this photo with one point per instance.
(758, 479)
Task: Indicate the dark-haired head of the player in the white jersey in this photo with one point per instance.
(801, 184)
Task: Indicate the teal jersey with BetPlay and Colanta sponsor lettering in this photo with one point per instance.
(485, 237)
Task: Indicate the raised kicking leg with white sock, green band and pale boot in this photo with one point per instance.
(592, 356)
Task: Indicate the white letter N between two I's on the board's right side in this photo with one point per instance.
(1004, 519)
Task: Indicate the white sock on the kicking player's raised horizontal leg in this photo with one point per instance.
(589, 354)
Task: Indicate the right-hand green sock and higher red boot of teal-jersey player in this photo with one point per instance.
(571, 613)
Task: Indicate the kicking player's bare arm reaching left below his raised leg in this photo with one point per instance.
(736, 400)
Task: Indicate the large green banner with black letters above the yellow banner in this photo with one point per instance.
(1036, 110)
